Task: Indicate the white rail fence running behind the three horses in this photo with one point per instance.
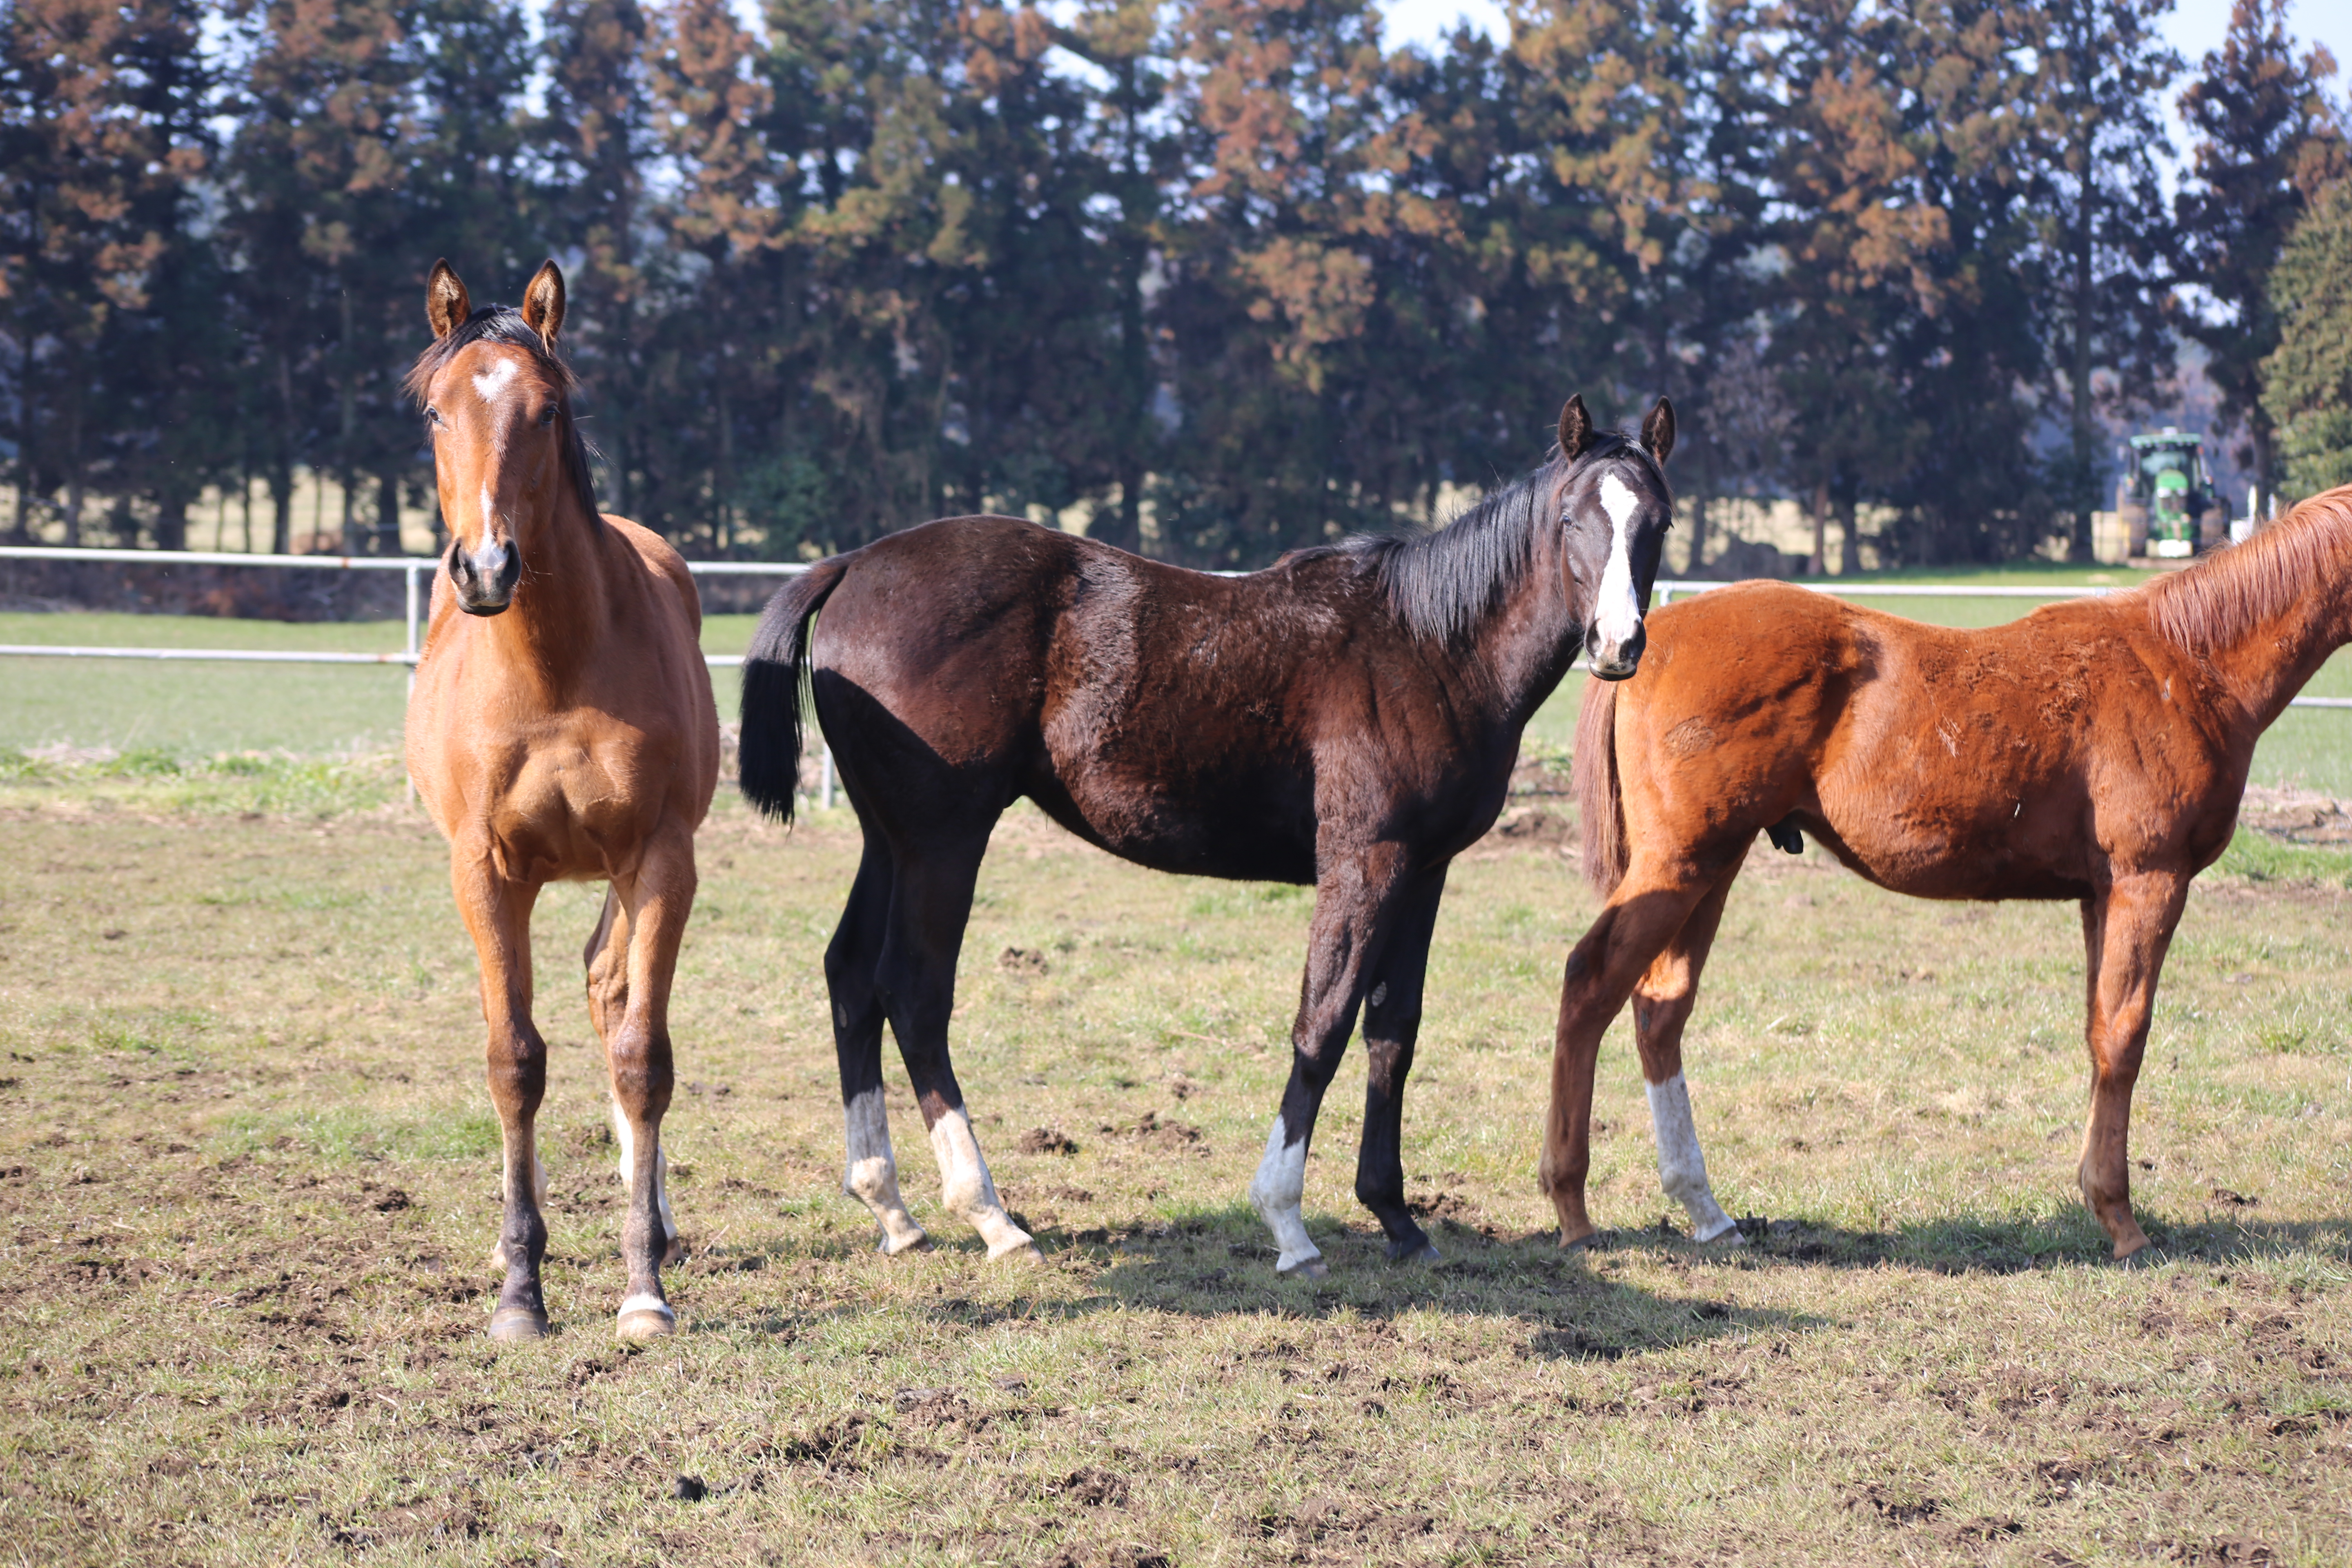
(415, 570)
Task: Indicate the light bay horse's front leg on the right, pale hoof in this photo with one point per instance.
(655, 906)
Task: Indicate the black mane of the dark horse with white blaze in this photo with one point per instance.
(1443, 582)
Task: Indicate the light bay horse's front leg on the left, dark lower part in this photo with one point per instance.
(500, 920)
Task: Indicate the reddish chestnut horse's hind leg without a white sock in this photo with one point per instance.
(1603, 972)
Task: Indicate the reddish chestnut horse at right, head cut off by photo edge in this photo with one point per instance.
(2092, 751)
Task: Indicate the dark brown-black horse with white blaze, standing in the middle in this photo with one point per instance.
(1347, 718)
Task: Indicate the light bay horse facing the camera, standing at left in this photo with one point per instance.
(561, 732)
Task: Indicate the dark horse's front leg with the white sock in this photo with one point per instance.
(1356, 909)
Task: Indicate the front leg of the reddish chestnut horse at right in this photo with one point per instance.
(2127, 932)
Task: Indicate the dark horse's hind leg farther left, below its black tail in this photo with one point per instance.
(853, 981)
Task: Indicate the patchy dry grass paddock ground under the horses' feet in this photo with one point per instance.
(248, 1184)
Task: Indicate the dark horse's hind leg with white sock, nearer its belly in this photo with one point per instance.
(930, 906)
